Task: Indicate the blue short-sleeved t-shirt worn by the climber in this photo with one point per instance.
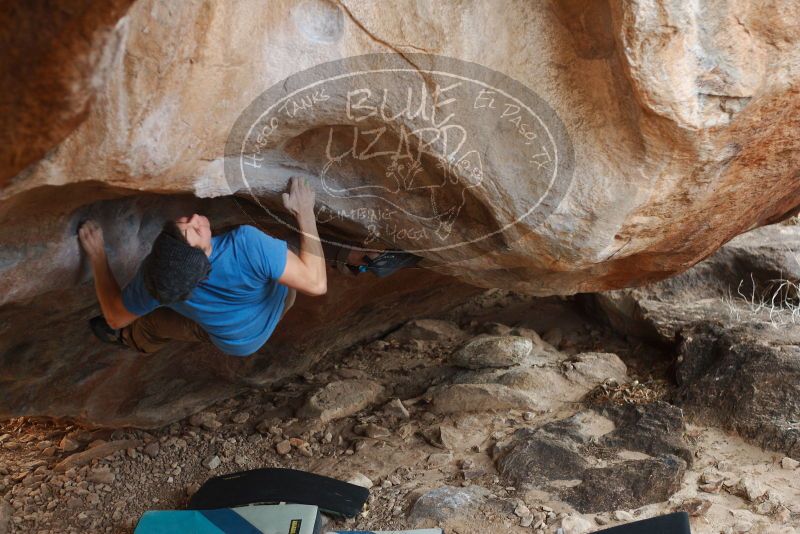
(240, 302)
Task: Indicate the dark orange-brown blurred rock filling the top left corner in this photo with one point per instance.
(56, 57)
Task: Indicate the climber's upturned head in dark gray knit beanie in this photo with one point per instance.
(178, 260)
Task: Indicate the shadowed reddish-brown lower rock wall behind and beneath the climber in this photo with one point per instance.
(54, 366)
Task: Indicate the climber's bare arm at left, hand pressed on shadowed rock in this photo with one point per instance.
(108, 292)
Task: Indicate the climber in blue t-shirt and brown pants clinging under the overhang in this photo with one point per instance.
(230, 290)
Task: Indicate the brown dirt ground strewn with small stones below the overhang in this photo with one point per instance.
(50, 483)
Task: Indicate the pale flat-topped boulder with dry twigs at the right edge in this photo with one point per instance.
(735, 285)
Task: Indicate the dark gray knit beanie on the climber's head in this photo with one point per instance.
(173, 268)
